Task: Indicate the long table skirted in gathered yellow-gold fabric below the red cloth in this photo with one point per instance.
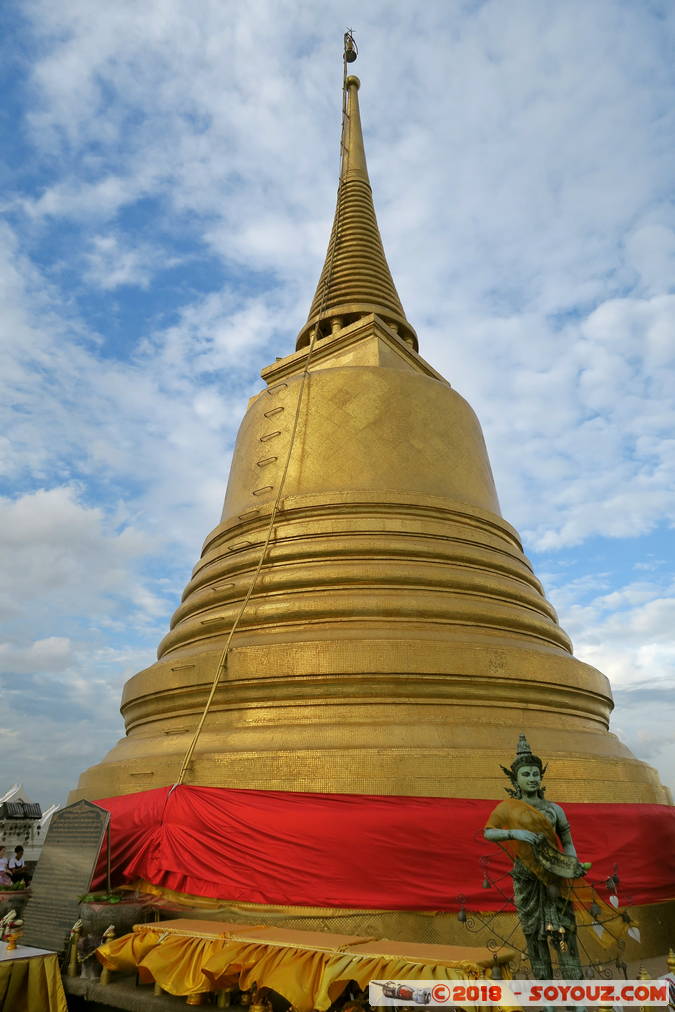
(308, 969)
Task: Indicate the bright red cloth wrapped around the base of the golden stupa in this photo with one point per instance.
(362, 852)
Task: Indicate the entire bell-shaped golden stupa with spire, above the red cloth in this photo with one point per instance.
(396, 640)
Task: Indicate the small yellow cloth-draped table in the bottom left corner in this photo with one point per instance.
(32, 985)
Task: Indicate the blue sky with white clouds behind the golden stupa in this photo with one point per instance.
(168, 184)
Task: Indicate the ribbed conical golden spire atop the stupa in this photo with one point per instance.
(356, 280)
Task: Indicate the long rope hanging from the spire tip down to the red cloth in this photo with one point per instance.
(348, 57)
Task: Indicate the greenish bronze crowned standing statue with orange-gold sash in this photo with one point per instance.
(530, 828)
